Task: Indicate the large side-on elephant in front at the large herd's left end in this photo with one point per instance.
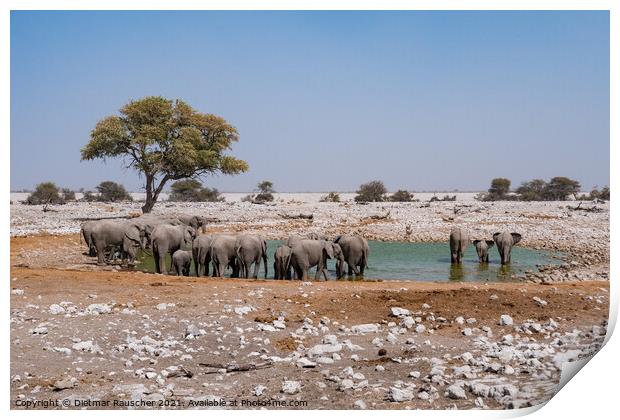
(127, 236)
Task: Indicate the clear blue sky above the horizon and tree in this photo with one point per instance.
(324, 101)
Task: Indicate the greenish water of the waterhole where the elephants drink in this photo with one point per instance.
(419, 261)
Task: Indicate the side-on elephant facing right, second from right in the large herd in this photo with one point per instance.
(311, 252)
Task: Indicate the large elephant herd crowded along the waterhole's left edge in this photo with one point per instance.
(242, 253)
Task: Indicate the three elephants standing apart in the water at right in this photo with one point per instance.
(460, 240)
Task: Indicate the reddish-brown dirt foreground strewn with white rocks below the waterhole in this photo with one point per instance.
(109, 338)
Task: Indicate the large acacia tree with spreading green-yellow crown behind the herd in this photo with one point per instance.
(165, 140)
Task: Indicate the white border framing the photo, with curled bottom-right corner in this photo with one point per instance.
(592, 394)
